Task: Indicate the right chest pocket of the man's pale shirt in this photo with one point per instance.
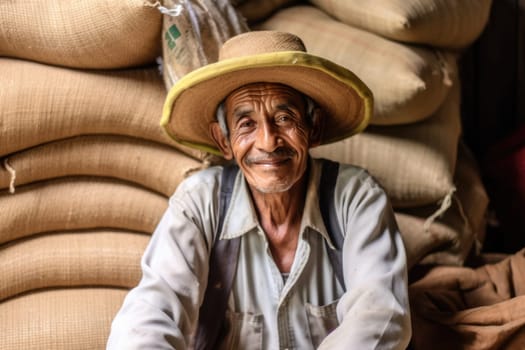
(321, 320)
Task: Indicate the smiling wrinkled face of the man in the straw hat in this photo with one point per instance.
(269, 135)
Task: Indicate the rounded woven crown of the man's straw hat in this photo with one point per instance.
(259, 42)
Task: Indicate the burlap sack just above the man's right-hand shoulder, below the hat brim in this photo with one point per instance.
(415, 163)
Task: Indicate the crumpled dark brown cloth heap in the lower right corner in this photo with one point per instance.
(470, 308)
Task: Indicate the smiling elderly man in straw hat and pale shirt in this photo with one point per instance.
(263, 105)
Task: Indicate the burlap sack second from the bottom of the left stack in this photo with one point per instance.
(71, 259)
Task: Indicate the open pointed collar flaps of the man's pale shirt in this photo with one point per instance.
(236, 225)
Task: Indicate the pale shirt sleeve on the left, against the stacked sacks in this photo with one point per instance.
(162, 310)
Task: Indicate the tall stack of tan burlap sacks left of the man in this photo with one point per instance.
(85, 169)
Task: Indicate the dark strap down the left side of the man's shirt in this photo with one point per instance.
(223, 264)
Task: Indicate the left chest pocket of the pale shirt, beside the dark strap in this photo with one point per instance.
(243, 331)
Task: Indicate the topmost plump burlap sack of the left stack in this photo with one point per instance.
(82, 33)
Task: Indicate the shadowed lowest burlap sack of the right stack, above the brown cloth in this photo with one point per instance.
(449, 237)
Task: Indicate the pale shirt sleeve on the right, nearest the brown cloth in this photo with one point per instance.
(374, 311)
